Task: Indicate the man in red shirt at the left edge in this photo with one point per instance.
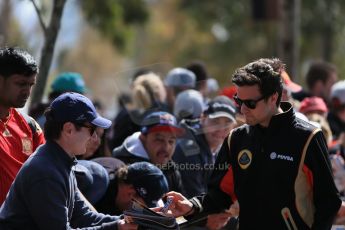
(19, 135)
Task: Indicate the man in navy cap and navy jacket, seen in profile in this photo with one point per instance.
(44, 194)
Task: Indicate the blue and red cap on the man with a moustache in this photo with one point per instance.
(160, 122)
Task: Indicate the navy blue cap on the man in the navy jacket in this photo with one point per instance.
(74, 107)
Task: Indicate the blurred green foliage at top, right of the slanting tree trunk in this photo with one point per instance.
(113, 18)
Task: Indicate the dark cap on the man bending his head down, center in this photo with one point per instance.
(148, 181)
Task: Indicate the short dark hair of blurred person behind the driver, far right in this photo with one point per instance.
(319, 71)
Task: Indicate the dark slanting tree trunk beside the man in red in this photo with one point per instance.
(50, 35)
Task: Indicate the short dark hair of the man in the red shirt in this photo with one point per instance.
(16, 61)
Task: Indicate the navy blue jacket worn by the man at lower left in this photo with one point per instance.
(44, 195)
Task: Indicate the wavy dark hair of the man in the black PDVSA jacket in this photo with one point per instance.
(261, 74)
